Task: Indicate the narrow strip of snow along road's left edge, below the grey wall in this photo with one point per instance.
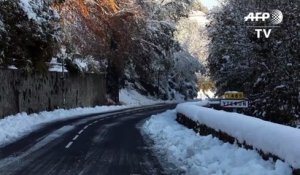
(16, 126)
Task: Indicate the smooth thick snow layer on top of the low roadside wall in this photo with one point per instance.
(280, 140)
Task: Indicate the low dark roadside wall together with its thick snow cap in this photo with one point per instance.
(207, 127)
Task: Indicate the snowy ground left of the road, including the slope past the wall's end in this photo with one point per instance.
(15, 126)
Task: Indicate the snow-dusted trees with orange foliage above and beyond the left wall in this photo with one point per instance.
(133, 41)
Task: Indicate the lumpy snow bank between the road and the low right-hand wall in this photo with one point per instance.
(205, 155)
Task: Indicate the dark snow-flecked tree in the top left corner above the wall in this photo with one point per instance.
(28, 38)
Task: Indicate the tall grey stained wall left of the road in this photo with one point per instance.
(33, 93)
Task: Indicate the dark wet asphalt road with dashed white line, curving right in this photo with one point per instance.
(108, 143)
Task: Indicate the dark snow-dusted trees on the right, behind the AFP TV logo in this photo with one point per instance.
(267, 70)
